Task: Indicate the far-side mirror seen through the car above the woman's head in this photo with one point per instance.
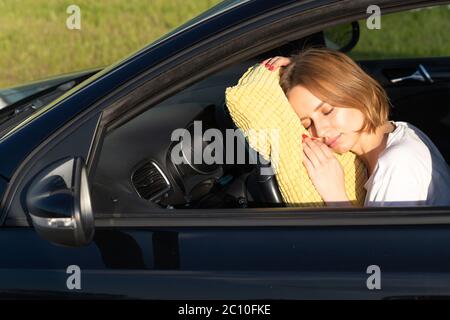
(343, 37)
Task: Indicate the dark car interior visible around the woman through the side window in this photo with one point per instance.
(135, 172)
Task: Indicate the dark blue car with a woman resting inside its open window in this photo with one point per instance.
(93, 207)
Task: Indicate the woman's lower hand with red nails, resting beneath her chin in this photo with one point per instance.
(325, 172)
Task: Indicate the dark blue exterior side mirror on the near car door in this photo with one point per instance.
(59, 203)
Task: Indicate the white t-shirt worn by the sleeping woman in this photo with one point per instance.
(410, 172)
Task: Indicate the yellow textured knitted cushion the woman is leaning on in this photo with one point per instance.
(258, 104)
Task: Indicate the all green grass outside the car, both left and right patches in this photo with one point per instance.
(35, 43)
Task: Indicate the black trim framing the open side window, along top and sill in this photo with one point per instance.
(150, 88)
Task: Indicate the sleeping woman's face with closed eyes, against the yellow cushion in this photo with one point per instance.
(335, 126)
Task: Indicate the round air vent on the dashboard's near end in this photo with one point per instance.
(150, 182)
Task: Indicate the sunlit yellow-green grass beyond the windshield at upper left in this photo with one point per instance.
(35, 42)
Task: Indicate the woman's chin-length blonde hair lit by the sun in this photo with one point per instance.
(336, 79)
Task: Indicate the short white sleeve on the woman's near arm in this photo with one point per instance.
(401, 182)
